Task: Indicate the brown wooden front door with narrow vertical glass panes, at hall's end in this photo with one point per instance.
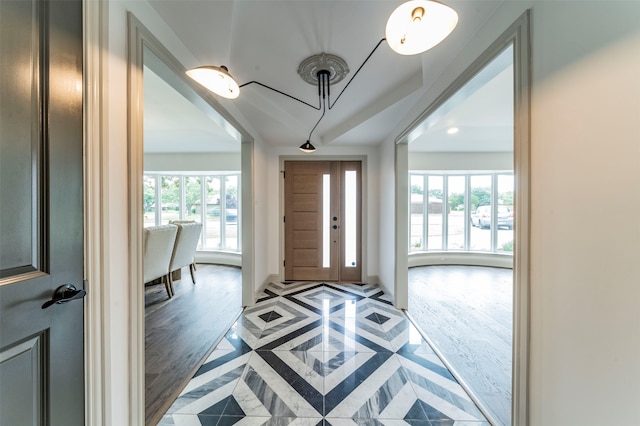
(322, 221)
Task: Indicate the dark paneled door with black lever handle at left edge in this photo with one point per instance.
(41, 213)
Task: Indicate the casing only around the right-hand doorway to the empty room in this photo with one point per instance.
(518, 34)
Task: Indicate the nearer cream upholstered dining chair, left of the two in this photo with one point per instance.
(158, 247)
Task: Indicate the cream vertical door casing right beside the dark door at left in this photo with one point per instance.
(97, 405)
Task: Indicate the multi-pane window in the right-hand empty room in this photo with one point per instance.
(461, 211)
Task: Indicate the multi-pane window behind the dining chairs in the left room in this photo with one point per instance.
(211, 199)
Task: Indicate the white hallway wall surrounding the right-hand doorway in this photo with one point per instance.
(585, 188)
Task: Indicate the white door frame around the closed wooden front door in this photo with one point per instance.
(364, 216)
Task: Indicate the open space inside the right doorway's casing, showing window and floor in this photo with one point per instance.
(463, 163)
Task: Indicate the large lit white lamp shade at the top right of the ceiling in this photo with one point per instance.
(418, 25)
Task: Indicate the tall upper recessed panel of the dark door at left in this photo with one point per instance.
(24, 237)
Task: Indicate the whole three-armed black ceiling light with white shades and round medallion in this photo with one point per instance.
(412, 28)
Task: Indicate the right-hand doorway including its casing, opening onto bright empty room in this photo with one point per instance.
(467, 186)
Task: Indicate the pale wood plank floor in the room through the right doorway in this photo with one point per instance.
(466, 311)
